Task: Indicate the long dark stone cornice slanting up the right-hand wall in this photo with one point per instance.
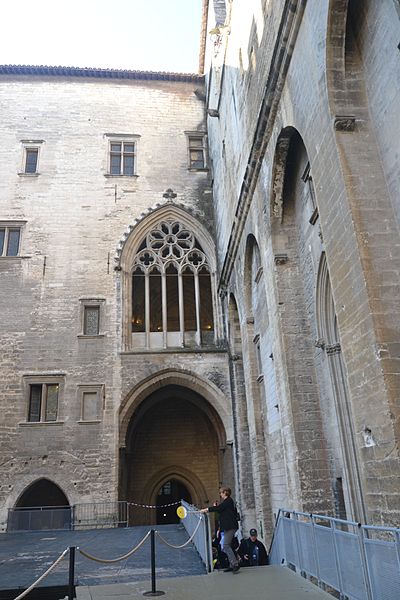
(290, 23)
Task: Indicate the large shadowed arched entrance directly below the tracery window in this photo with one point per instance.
(175, 449)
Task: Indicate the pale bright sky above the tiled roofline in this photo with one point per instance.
(146, 35)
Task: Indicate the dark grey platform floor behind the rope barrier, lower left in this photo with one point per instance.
(25, 556)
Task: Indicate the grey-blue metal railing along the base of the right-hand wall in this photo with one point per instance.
(361, 562)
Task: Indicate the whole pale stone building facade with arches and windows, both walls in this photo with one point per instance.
(200, 274)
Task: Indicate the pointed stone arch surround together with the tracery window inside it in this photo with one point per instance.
(168, 270)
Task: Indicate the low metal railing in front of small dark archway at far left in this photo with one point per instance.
(79, 516)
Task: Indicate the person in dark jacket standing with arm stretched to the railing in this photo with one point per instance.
(228, 525)
